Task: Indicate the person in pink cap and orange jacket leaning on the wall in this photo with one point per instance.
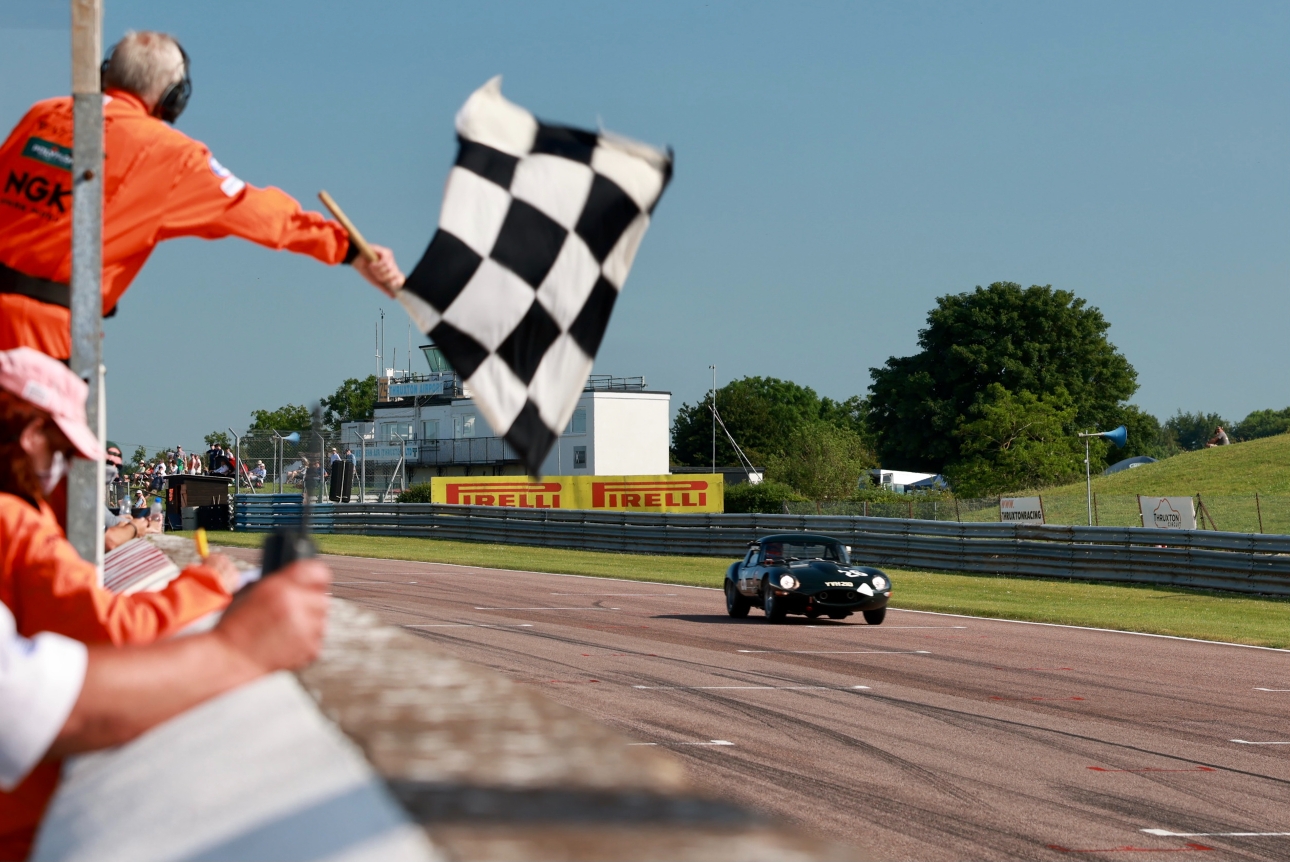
(43, 581)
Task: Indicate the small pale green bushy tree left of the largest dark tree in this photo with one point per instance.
(822, 461)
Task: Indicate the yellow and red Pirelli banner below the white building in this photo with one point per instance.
(684, 494)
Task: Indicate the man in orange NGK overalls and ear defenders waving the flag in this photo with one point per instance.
(158, 184)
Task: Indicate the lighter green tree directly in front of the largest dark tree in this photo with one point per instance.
(1011, 442)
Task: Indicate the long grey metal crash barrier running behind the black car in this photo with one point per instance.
(1239, 562)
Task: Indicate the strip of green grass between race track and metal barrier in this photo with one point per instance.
(1163, 611)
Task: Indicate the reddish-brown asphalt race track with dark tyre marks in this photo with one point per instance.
(929, 737)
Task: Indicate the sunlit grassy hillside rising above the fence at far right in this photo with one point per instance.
(1261, 466)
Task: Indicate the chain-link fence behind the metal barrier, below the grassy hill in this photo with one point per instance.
(1233, 513)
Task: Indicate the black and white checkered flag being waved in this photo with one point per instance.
(536, 238)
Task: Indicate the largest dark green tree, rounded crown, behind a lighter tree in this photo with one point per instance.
(1027, 340)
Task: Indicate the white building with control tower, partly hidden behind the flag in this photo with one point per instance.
(620, 429)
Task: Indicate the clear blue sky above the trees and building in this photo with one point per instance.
(838, 168)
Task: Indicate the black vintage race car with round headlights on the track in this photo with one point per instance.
(807, 575)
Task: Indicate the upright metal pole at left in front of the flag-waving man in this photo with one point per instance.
(86, 492)
